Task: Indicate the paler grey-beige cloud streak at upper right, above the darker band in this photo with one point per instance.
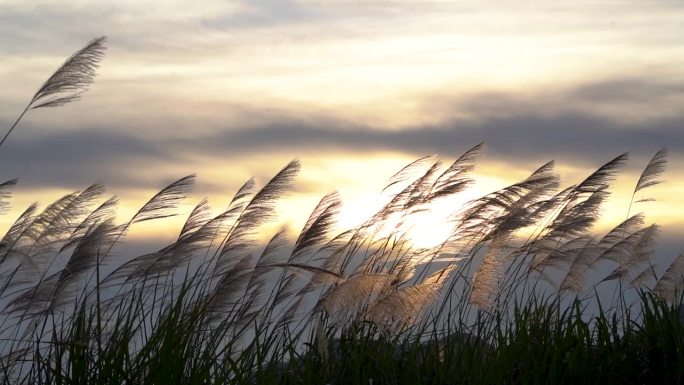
(631, 101)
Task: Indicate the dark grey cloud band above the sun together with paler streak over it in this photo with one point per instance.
(516, 128)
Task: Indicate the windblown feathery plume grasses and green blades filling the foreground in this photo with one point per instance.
(522, 290)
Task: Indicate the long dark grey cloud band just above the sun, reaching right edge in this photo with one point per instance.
(573, 137)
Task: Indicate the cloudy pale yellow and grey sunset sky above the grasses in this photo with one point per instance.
(354, 89)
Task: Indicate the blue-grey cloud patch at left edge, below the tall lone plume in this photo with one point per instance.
(74, 159)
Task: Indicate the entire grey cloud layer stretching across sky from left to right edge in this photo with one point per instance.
(515, 132)
